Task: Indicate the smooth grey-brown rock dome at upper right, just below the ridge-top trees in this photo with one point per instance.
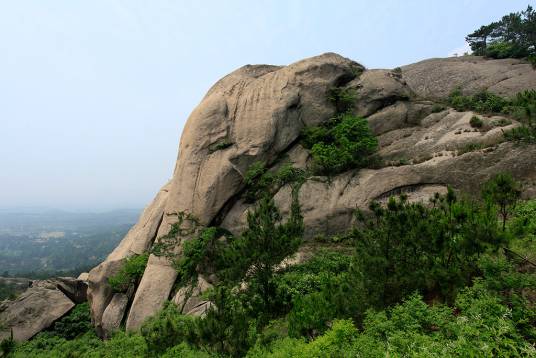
(437, 77)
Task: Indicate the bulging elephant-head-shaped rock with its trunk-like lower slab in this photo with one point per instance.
(261, 111)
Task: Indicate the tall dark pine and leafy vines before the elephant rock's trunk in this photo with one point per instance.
(231, 326)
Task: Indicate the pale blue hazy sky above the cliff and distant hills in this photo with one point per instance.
(94, 94)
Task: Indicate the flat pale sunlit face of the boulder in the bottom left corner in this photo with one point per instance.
(34, 310)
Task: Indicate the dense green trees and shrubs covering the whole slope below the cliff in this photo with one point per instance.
(450, 278)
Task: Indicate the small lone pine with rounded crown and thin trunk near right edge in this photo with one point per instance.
(503, 191)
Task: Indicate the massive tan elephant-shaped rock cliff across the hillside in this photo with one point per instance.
(257, 113)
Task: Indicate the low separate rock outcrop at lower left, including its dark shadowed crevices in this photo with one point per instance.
(37, 308)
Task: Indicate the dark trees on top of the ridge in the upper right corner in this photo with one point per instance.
(512, 36)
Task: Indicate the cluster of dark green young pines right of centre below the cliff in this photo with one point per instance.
(408, 246)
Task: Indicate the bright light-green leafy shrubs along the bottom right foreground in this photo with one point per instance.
(478, 325)
